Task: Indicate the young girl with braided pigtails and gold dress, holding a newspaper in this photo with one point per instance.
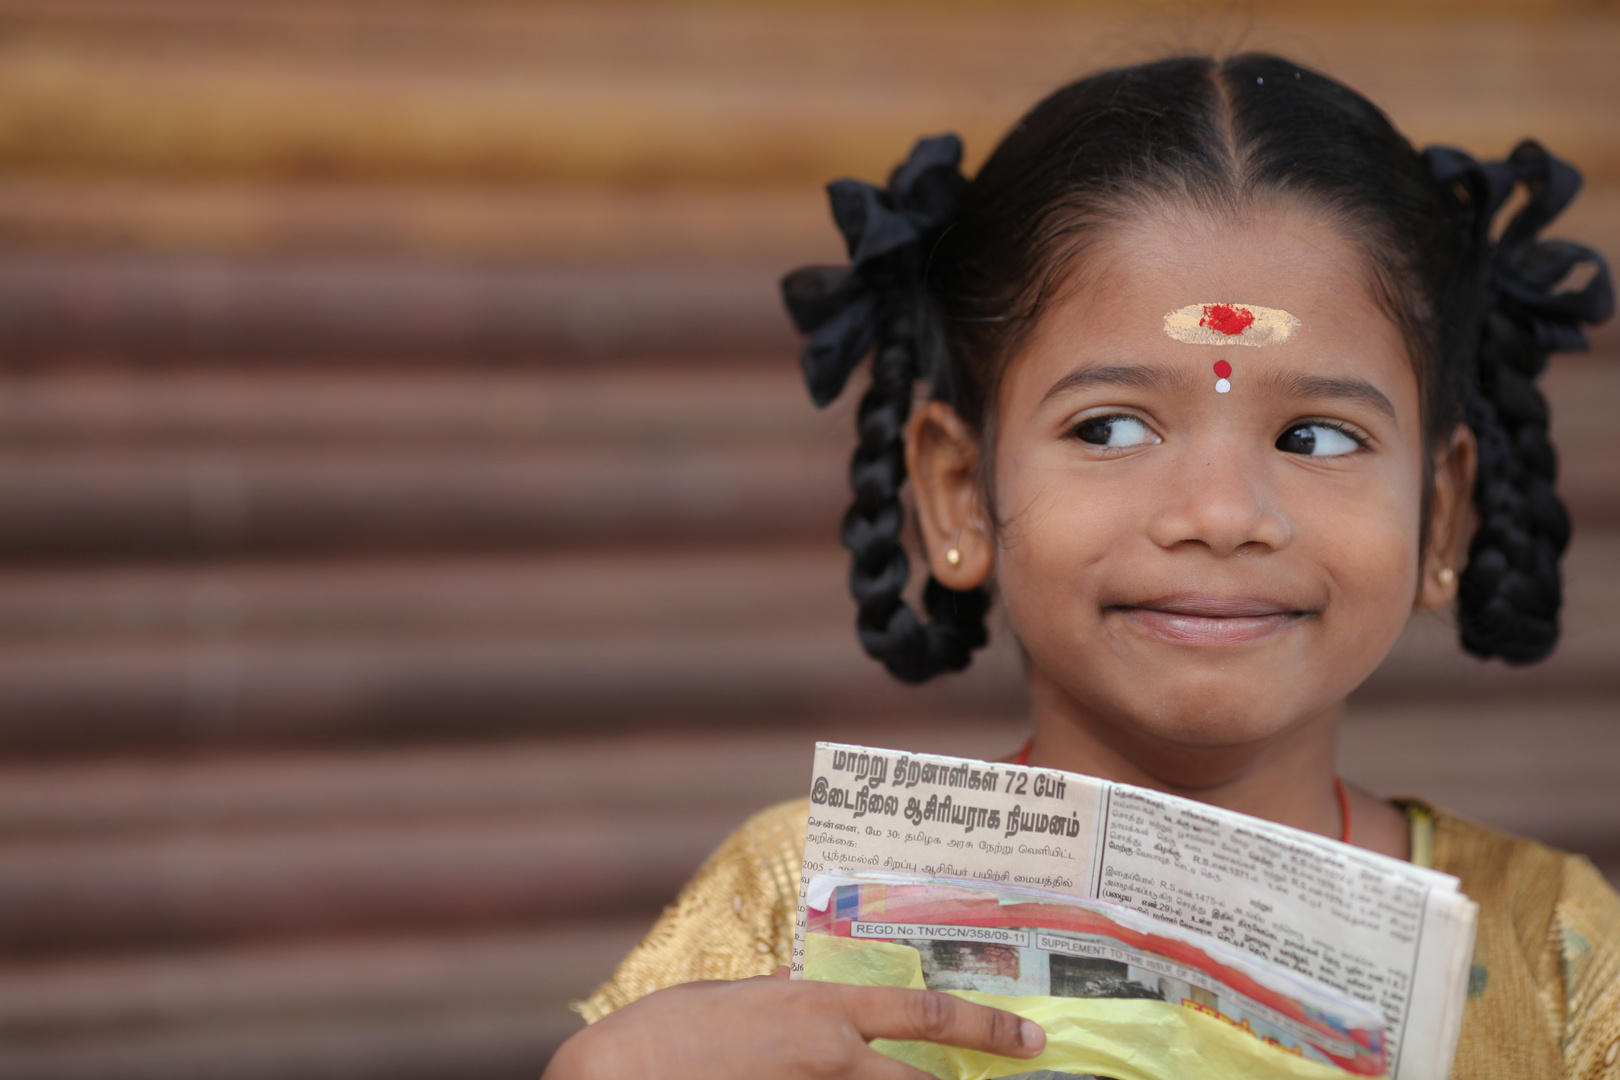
(1201, 548)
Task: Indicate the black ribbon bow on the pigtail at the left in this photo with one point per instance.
(890, 234)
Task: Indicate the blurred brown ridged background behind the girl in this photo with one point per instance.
(417, 550)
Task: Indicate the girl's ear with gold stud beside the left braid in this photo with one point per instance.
(944, 457)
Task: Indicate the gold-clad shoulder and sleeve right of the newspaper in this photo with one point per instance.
(1545, 990)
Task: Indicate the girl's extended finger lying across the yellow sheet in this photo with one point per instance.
(936, 1018)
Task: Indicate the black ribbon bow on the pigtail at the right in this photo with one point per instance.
(1524, 271)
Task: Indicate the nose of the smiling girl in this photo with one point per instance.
(1222, 506)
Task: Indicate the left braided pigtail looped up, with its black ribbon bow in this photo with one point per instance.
(879, 304)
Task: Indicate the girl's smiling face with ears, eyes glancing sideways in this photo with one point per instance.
(1190, 569)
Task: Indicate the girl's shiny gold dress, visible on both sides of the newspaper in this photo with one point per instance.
(1543, 998)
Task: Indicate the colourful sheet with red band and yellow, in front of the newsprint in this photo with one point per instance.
(1059, 955)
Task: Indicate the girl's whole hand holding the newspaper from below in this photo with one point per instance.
(785, 1031)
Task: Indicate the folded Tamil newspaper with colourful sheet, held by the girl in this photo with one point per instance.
(1153, 937)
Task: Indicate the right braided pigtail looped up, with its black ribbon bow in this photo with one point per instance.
(1512, 590)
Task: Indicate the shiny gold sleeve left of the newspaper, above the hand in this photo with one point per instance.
(733, 921)
